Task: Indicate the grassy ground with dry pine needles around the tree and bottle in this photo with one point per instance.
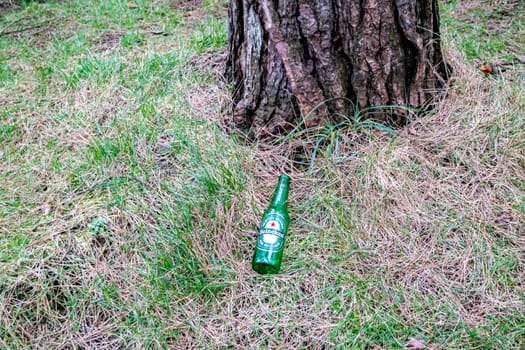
(128, 215)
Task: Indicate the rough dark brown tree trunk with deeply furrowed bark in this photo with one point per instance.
(314, 60)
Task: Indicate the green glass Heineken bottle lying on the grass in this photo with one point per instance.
(270, 242)
